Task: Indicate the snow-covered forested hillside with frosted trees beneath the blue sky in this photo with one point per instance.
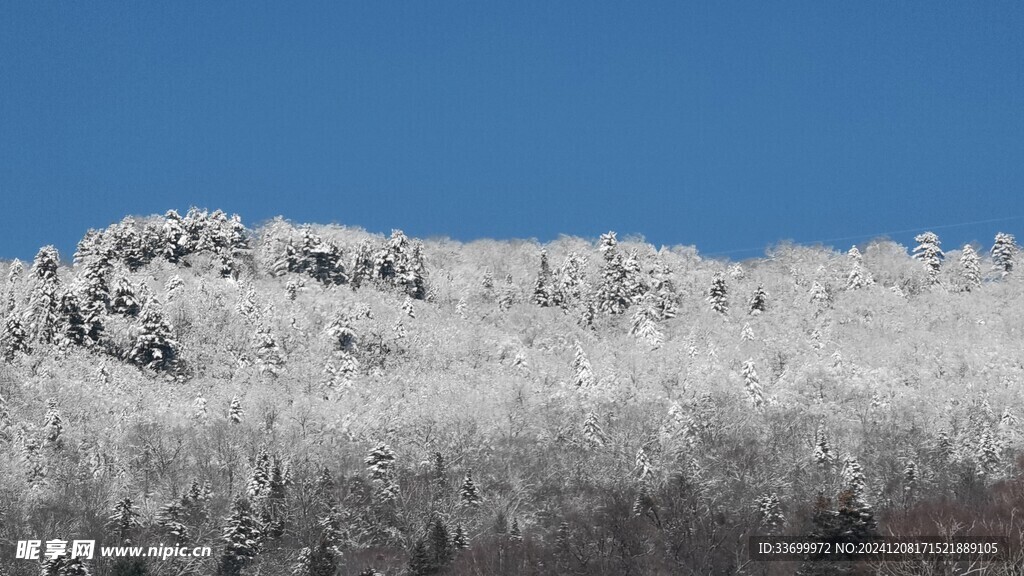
(318, 400)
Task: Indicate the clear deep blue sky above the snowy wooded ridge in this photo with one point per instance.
(729, 126)
